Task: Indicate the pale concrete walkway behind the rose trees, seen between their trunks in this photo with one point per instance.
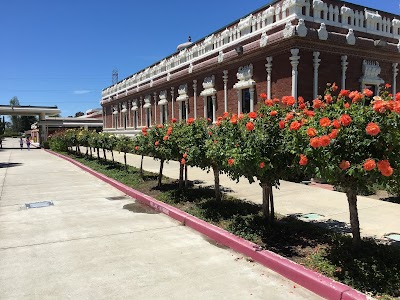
(377, 218)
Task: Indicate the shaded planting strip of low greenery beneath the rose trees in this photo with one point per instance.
(374, 270)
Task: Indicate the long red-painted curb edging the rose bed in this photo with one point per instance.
(315, 282)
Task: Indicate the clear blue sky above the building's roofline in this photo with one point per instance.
(63, 52)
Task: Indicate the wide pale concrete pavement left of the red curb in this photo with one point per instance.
(96, 243)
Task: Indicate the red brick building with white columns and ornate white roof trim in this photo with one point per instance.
(289, 47)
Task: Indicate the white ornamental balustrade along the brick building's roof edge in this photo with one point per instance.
(280, 12)
